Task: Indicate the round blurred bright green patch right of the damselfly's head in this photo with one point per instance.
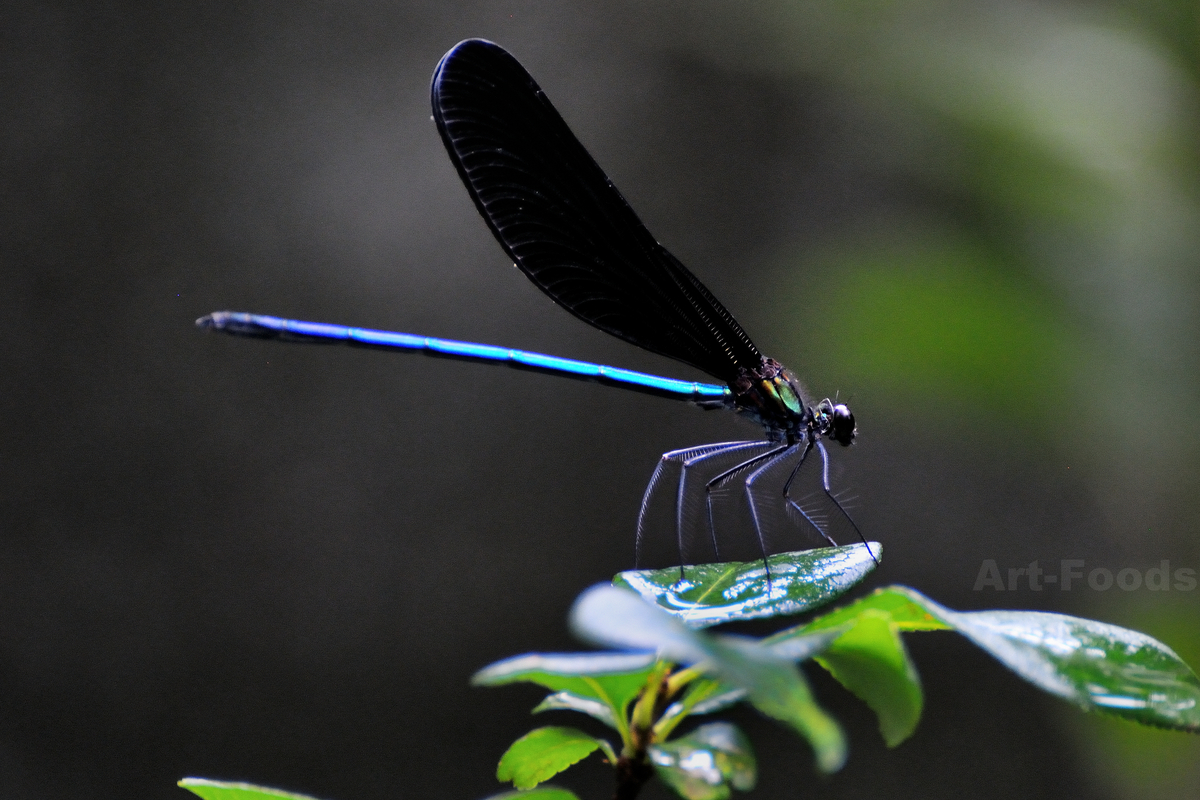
(944, 328)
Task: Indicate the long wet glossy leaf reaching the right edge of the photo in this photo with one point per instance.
(1099, 666)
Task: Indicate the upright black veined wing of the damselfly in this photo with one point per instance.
(565, 224)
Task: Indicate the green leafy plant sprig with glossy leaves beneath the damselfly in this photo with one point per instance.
(663, 669)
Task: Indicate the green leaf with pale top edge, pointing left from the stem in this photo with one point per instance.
(614, 679)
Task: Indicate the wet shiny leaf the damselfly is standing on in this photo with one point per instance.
(710, 594)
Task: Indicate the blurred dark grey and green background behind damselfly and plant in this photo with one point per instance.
(244, 561)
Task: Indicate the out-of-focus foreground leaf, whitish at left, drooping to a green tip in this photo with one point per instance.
(614, 617)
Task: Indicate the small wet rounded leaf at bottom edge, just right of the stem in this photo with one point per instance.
(706, 763)
